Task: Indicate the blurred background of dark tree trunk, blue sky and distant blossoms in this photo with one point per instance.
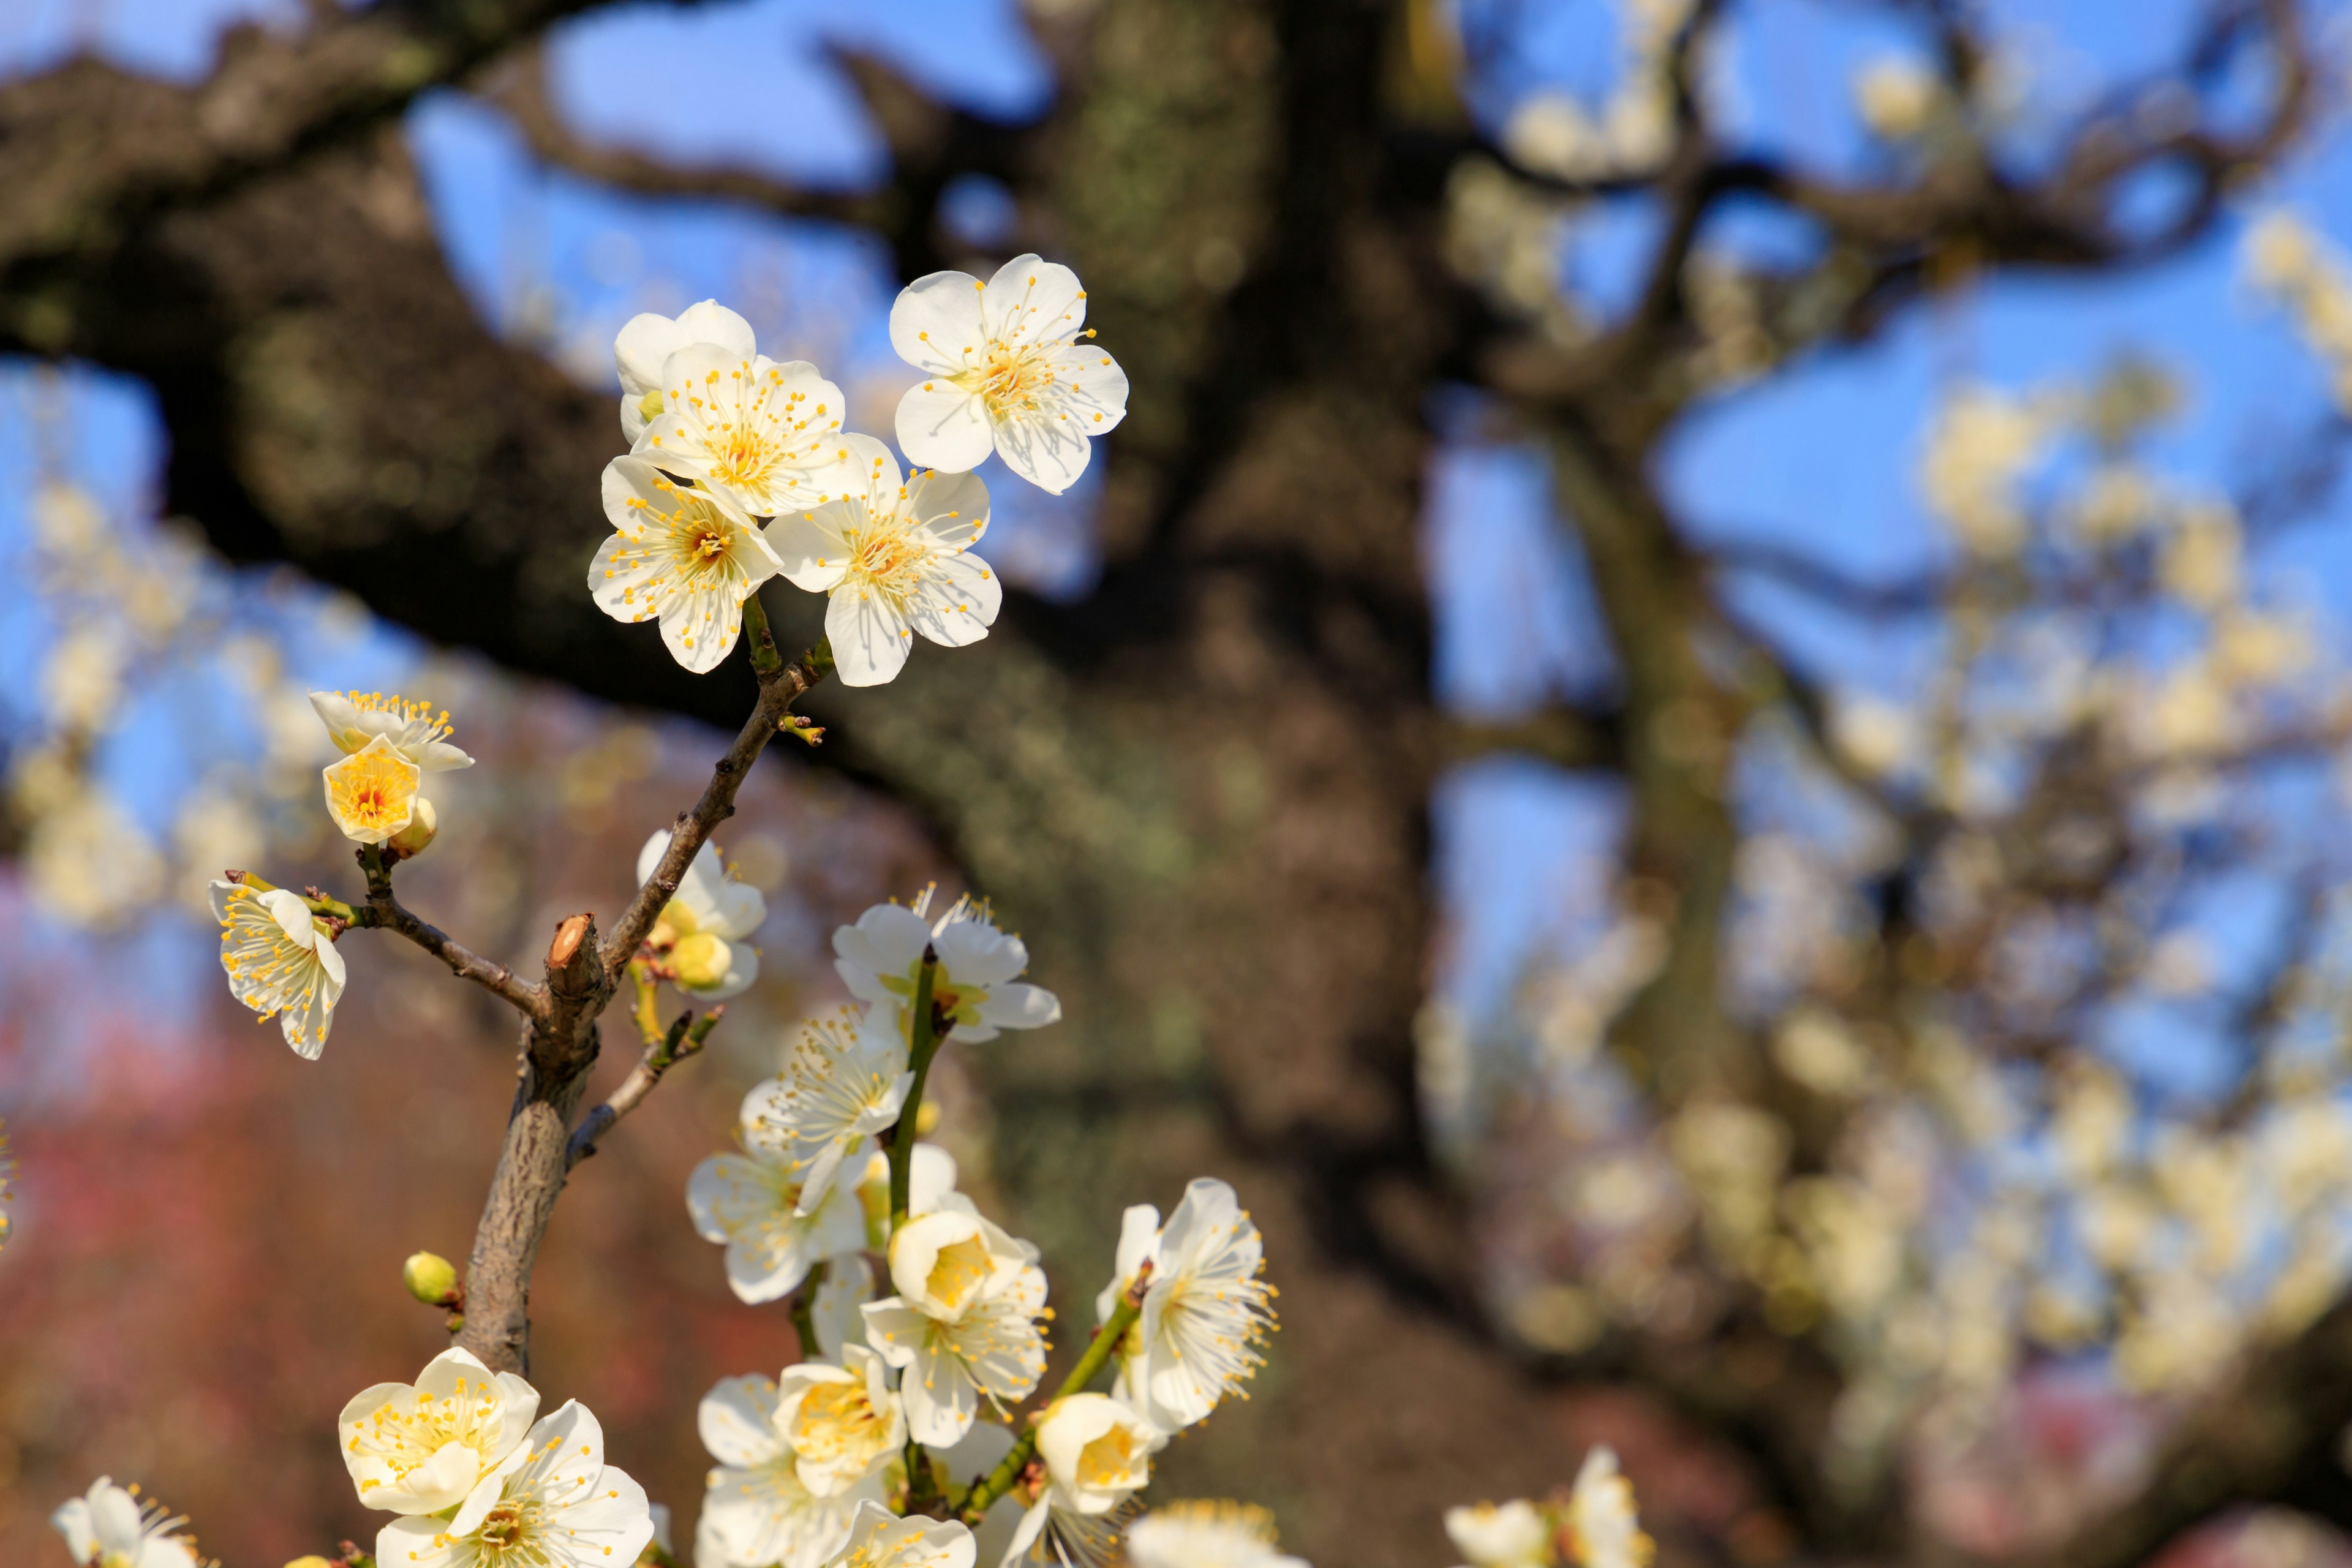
(1697, 728)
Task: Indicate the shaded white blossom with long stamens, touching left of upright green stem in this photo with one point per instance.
(843, 1085)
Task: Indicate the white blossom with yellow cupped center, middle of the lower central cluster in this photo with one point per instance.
(989, 1348)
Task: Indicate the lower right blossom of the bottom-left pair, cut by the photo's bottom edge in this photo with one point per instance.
(556, 1506)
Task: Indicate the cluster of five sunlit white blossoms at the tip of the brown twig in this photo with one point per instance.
(740, 467)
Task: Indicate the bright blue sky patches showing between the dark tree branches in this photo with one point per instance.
(1819, 457)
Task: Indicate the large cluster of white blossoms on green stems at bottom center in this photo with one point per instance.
(907, 1407)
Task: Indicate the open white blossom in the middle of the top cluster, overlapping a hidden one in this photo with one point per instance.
(763, 434)
